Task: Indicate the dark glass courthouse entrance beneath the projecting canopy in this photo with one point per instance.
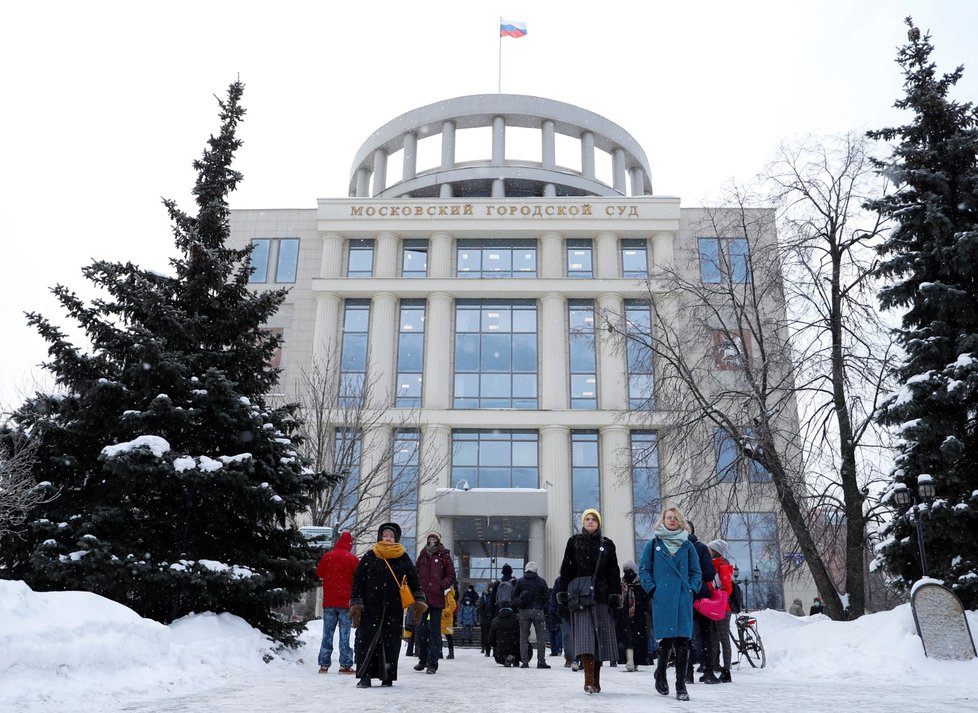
(485, 543)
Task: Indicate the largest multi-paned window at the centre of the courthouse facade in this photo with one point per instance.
(495, 354)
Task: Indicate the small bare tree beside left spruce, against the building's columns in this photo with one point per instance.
(371, 454)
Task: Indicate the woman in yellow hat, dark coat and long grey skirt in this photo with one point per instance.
(589, 554)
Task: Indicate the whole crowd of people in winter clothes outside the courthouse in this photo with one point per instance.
(596, 613)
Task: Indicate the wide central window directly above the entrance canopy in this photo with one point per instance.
(495, 459)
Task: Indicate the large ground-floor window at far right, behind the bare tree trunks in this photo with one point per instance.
(753, 540)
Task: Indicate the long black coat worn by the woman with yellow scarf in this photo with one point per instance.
(378, 639)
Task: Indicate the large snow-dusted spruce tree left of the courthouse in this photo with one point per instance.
(176, 481)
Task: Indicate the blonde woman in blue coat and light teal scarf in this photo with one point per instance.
(670, 573)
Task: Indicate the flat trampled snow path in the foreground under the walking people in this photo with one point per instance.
(472, 682)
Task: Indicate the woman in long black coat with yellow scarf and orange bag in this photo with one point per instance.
(375, 606)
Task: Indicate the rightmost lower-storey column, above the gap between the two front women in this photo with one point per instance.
(616, 496)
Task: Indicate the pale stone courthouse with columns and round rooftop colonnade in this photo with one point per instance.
(467, 290)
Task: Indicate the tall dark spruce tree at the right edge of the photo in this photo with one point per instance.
(931, 263)
